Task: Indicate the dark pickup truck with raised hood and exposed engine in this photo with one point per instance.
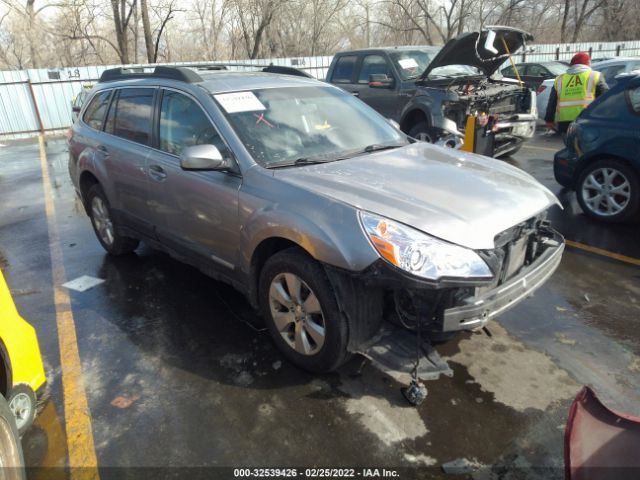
(430, 91)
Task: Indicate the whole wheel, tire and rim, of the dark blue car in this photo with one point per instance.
(606, 178)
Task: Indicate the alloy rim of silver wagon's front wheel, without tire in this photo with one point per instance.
(297, 314)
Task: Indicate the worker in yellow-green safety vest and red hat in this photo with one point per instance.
(572, 92)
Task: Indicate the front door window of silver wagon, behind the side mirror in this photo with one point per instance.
(184, 124)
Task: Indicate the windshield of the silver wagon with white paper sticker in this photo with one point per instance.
(281, 125)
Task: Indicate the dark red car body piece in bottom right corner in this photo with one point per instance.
(600, 443)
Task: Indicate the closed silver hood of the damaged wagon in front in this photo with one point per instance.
(462, 198)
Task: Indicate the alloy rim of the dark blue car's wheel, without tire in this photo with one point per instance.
(606, 191)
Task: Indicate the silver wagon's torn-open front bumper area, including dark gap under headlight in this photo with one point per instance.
(520, 266)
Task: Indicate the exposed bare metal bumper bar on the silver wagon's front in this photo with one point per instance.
(478, 310)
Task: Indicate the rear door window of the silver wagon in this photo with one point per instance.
(130, 116)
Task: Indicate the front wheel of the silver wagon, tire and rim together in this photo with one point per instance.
(312, 335)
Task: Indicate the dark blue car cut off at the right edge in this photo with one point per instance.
(601, 160)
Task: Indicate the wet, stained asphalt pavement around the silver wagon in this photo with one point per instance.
(178, 372)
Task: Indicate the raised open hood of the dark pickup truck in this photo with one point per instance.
(469, 49)
